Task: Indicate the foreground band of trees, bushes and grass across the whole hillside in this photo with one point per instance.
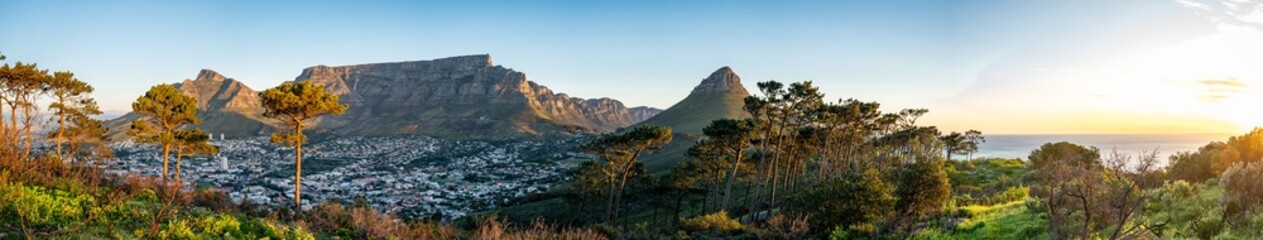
(799, 167)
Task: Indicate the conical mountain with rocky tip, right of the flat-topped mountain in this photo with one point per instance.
(719, 97)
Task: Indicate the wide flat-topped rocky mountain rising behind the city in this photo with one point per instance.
(459, 98)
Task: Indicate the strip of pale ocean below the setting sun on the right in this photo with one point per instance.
(1001, 146)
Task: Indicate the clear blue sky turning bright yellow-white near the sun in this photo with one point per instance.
(1002, 68)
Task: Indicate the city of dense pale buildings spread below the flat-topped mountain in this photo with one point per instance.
(409, 176)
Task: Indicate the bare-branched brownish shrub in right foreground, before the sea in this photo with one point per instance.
(1086, 199)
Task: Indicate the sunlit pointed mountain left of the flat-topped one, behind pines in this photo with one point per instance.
(227, 107)
